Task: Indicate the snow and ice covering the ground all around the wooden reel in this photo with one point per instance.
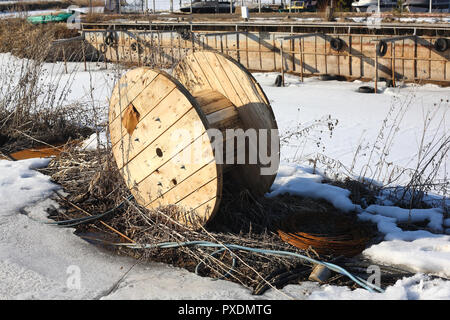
(41, 261)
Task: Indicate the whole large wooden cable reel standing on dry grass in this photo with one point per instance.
(161, 138)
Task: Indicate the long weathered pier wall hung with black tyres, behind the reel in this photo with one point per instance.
(347, 50)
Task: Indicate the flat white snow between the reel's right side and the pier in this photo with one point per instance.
(359, 119)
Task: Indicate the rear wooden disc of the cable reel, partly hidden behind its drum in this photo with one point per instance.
(208, 70)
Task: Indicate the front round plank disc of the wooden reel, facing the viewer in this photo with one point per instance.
(161, 146)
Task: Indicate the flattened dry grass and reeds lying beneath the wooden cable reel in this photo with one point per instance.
(94, 184)
